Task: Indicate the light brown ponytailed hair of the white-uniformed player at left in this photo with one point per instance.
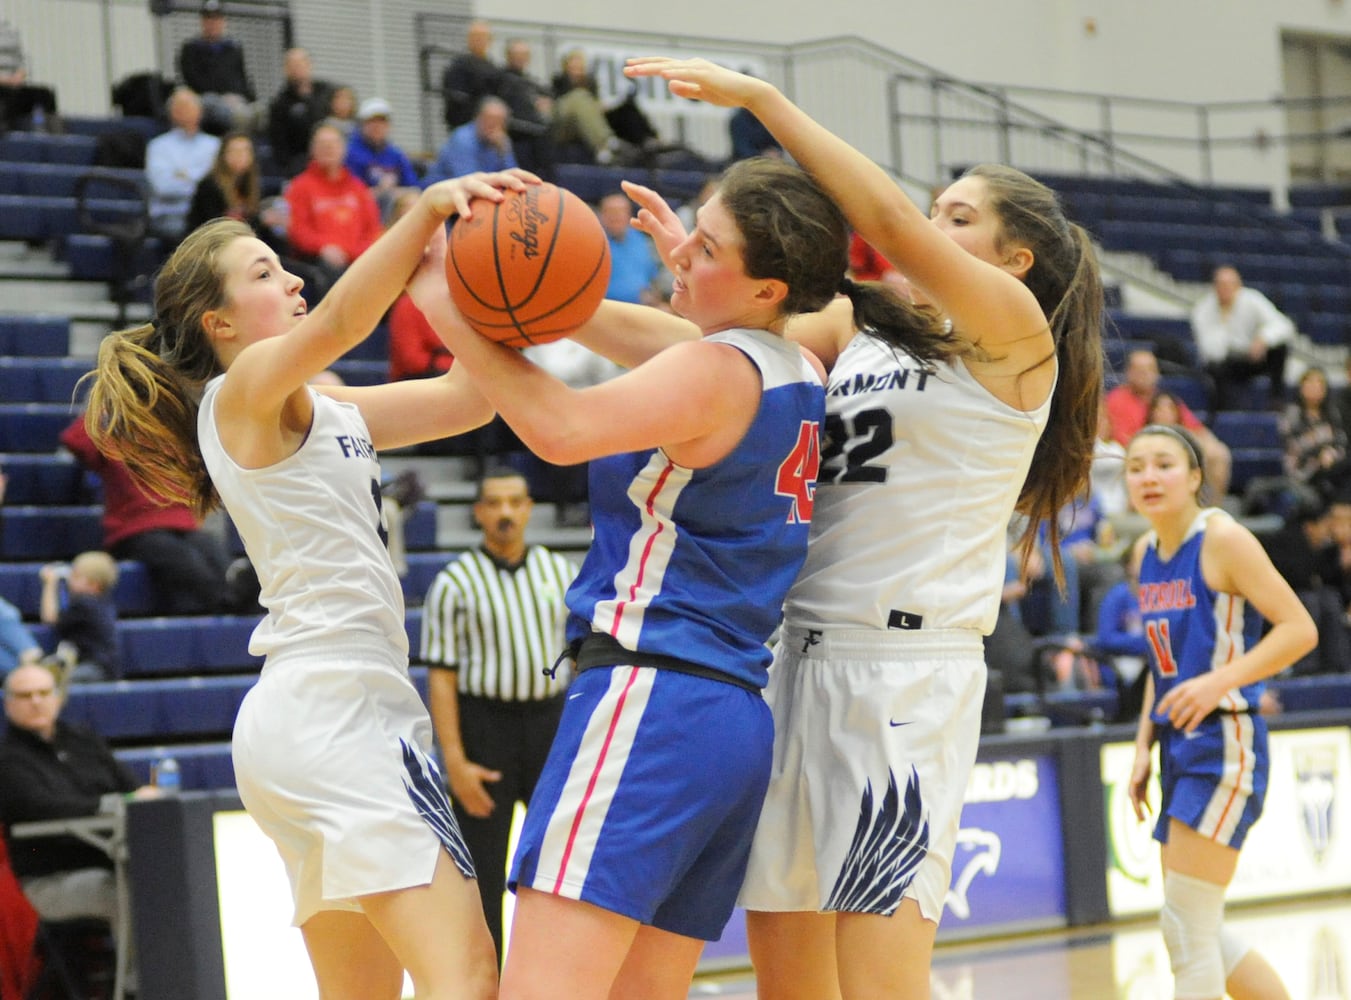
(147, 386)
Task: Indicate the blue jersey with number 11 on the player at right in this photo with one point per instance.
(1192, 629)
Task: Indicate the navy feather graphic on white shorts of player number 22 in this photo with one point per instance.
(887, 851)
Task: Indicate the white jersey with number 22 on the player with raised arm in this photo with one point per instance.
(921, 471)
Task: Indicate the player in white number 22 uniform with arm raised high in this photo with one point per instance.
(880, 676)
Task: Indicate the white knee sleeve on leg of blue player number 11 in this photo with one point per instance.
(1191, 920)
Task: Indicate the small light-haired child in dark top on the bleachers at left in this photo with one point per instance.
(78, 603)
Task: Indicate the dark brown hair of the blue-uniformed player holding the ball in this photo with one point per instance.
(795, 233)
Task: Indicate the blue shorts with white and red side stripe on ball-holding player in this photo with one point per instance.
(649, 799)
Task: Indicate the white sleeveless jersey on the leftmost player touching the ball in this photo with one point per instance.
(314, 529)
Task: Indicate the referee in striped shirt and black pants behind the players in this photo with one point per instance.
(492, 628)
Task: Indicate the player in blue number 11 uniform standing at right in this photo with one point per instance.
(1204, 584)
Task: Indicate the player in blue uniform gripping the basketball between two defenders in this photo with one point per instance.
(705, 466)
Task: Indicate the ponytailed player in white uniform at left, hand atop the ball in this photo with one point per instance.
(209, 405)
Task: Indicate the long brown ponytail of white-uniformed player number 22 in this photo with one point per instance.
(1068, 286)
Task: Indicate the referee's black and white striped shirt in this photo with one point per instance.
(501, 628)
